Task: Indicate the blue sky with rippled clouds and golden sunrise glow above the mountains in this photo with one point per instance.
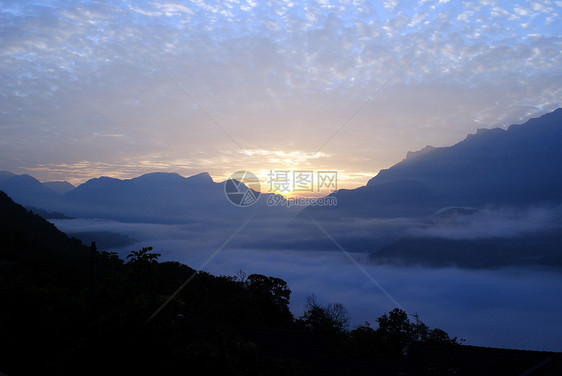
(125, 88)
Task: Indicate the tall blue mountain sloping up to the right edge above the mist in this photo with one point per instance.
(518, 166)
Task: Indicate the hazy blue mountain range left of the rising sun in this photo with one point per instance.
(154, 197)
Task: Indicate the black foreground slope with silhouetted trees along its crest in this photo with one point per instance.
(70, 309)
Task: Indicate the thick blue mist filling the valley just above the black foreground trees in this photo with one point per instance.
(514, 308)
